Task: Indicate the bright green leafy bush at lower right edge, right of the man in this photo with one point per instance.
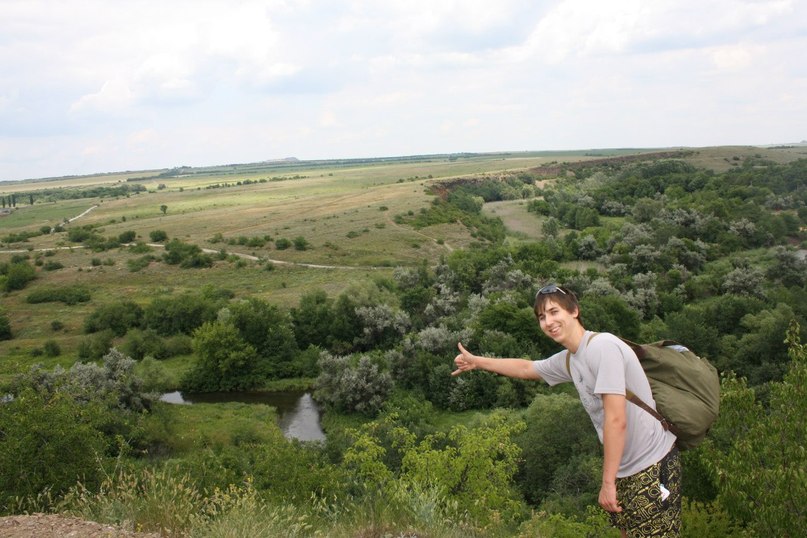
(756, 454)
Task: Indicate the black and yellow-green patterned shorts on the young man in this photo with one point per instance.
(644, 512)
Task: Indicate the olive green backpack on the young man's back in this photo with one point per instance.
(686, 389)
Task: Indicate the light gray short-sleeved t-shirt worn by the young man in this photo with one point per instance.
(606, 365)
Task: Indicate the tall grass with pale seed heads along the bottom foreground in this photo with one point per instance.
(164, 502)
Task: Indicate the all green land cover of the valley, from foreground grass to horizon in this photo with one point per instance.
(655, 245)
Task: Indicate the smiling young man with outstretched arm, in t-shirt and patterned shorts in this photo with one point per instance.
(641, 474)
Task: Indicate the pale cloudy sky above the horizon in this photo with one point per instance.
(106, 85)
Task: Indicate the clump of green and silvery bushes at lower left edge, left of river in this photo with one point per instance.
(61, 426)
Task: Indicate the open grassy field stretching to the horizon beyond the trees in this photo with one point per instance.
(345, 211)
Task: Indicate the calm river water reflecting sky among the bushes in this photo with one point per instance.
(298, 414)
